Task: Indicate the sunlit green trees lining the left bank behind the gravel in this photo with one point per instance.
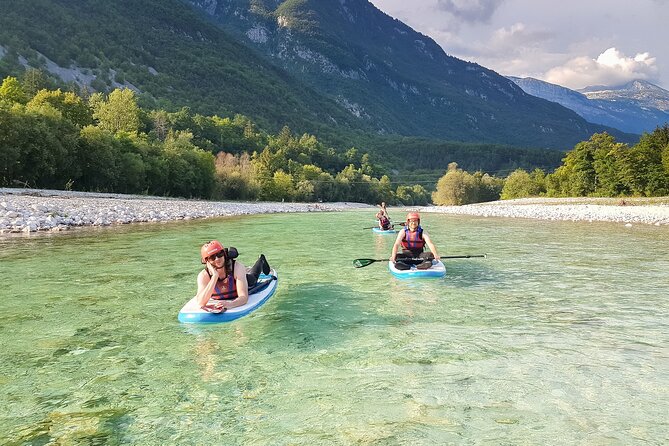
(59, 140)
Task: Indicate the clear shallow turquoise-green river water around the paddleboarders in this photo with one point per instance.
(558, 337)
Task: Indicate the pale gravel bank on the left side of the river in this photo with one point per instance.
(29, 210)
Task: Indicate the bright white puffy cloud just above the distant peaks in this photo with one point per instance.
(611, 67)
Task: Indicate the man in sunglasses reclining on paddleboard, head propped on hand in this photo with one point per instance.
(224, 278)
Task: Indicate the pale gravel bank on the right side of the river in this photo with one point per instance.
(652, 211)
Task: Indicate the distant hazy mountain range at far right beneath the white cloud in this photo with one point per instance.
(635, 107)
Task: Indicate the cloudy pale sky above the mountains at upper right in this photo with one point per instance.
(574, 43)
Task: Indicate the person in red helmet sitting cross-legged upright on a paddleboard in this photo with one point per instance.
(413, 239)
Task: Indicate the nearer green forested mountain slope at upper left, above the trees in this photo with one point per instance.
(167, 52)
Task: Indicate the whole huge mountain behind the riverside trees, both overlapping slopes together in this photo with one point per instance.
(342, 69)
